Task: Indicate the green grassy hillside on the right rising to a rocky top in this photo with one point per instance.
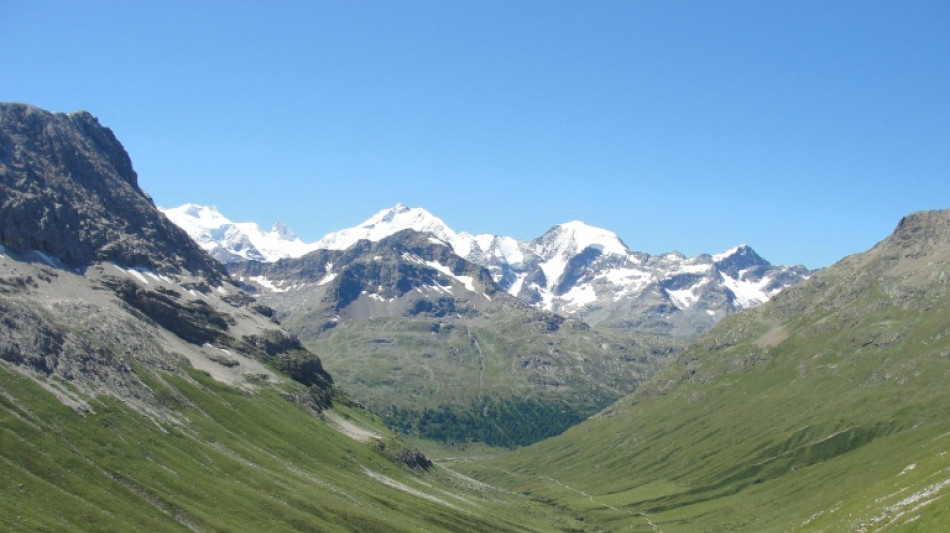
(825, 410)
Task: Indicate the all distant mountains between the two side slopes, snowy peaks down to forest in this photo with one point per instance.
(458, 337)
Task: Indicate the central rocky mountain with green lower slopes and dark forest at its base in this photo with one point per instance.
(418, 333)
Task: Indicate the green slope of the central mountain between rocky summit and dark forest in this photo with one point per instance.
(412, 364)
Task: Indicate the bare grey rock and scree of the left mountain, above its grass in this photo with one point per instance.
(100, 291)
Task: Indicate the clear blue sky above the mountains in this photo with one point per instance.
(804, 129)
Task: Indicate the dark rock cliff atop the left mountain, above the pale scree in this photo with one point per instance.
(69, 191)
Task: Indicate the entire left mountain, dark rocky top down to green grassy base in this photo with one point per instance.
(141, 388)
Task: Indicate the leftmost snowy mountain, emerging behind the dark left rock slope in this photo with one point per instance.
(229, 241)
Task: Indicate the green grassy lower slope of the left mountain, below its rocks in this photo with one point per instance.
(239, 463)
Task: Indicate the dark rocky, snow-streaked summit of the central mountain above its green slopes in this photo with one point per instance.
(368, 279)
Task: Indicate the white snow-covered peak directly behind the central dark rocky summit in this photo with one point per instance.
(387, 222)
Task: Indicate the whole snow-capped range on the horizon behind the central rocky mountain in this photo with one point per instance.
(573, 269)
